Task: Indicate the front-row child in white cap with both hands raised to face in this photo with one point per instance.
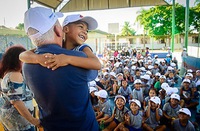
(153, 114)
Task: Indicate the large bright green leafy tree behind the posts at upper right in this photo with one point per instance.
(158, 20)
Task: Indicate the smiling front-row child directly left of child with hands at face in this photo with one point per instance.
(133, 119)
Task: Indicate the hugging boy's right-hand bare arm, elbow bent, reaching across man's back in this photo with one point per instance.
(91, 62)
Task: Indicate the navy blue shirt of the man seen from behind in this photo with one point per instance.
(62, 94)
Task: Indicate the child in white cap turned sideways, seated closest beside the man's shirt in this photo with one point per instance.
(103, 107)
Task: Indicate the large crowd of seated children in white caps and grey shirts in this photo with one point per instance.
(145, 93)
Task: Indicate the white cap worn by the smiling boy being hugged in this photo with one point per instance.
(92, 23)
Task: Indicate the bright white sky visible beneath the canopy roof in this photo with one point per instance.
(12, 13)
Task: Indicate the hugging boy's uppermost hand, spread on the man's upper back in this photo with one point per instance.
(55, 61)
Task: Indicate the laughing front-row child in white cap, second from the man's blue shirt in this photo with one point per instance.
(118, 113)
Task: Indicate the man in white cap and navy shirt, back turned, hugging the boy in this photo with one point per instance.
(63, 94)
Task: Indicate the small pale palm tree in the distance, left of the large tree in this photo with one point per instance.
(127, 30)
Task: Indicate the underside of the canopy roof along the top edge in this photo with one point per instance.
(84, 5)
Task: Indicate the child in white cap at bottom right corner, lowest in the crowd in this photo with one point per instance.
(183, 123)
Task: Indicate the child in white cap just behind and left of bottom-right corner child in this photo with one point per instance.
(170, 109)
